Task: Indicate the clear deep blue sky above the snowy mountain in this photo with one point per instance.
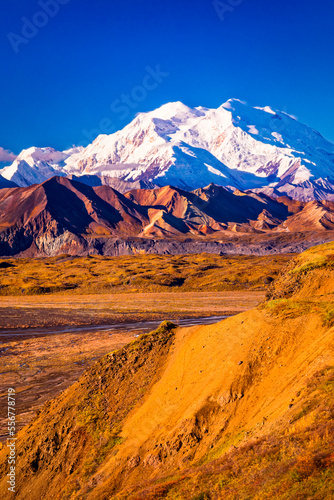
(62, 80)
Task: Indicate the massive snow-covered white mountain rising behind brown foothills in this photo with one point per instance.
(235, 145)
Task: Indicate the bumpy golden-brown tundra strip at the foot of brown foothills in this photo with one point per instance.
(130, 274)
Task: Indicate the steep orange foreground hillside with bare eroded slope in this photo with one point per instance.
(240, 409)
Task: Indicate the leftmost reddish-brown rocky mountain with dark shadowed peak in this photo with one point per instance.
(54, 215)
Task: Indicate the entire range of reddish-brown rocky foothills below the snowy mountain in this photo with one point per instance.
(66, 216)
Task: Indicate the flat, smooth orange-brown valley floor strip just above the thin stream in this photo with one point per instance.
(57, 310)
